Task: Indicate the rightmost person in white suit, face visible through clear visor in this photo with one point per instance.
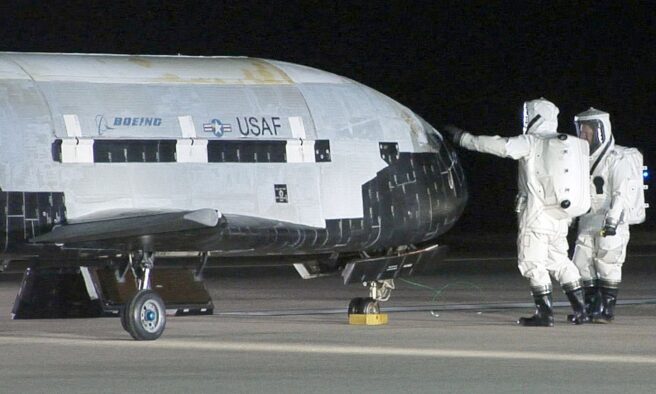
(603, 235)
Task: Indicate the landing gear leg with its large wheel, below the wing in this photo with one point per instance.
(144, 316)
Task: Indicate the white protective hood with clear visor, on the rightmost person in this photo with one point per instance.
(597, 123)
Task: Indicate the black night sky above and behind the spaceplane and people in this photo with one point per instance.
(460, 62)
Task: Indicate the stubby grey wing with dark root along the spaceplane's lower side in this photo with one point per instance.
(199, 230)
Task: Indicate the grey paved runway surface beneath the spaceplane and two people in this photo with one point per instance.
(274, 332)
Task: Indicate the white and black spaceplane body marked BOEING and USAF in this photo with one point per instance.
(112, 155)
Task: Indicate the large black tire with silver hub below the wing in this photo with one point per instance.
(145, 316)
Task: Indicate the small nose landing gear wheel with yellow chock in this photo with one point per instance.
(367, 310)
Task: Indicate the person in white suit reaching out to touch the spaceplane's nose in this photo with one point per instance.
(542, 239)
